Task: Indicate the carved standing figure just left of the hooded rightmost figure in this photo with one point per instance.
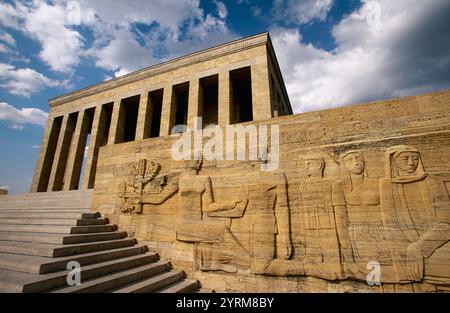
(356, 202)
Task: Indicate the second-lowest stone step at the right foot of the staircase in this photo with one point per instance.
(152, 283)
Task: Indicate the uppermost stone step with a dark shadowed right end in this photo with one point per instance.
(47, 214)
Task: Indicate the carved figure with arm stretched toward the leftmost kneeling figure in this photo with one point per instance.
(265, 200)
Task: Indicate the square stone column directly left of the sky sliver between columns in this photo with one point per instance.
(75, 160)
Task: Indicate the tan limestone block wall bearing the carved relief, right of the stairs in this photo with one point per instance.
(359, 189)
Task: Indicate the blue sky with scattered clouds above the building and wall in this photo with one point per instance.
(331, 52)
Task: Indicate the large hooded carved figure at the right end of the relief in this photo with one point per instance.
(415, 209)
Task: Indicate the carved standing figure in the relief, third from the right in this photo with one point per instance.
(319, 236)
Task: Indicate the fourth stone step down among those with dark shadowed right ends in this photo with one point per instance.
(60, 238)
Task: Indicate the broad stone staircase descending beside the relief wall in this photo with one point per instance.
(41, 232)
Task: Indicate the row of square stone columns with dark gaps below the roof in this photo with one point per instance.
(72, 140)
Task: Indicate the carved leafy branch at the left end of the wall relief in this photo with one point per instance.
(142, 185)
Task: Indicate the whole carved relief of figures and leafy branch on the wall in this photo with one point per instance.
(399, 220)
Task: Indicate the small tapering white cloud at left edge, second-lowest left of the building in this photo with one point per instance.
(23, 81)
